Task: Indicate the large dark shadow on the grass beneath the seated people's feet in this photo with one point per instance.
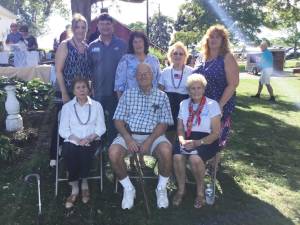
(233, 206)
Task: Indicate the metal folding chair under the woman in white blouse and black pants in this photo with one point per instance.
(98, 155)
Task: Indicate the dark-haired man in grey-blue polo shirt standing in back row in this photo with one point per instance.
(104, 55)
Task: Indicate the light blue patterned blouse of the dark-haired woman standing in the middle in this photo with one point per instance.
(126, 70)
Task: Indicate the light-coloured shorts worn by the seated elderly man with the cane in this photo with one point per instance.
(119, 140)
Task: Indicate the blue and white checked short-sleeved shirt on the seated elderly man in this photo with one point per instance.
(143, 112)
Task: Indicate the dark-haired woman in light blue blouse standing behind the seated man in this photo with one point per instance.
(138, 52)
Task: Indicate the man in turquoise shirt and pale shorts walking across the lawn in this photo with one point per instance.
(266, 66)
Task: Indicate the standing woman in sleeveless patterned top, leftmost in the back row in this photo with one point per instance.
(70, 61)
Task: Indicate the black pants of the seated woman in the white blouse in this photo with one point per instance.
(78, 160)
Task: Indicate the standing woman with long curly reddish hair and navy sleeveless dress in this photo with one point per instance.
(221, 71)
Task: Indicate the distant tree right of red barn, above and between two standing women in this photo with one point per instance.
(160, 30)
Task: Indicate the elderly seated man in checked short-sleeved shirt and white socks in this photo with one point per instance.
(141, 118)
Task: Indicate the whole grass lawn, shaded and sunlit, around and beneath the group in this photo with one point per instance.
(258, 182)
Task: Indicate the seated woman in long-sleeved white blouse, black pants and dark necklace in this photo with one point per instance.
(81, 124)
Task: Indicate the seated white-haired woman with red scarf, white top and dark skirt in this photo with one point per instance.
(198, 130)
